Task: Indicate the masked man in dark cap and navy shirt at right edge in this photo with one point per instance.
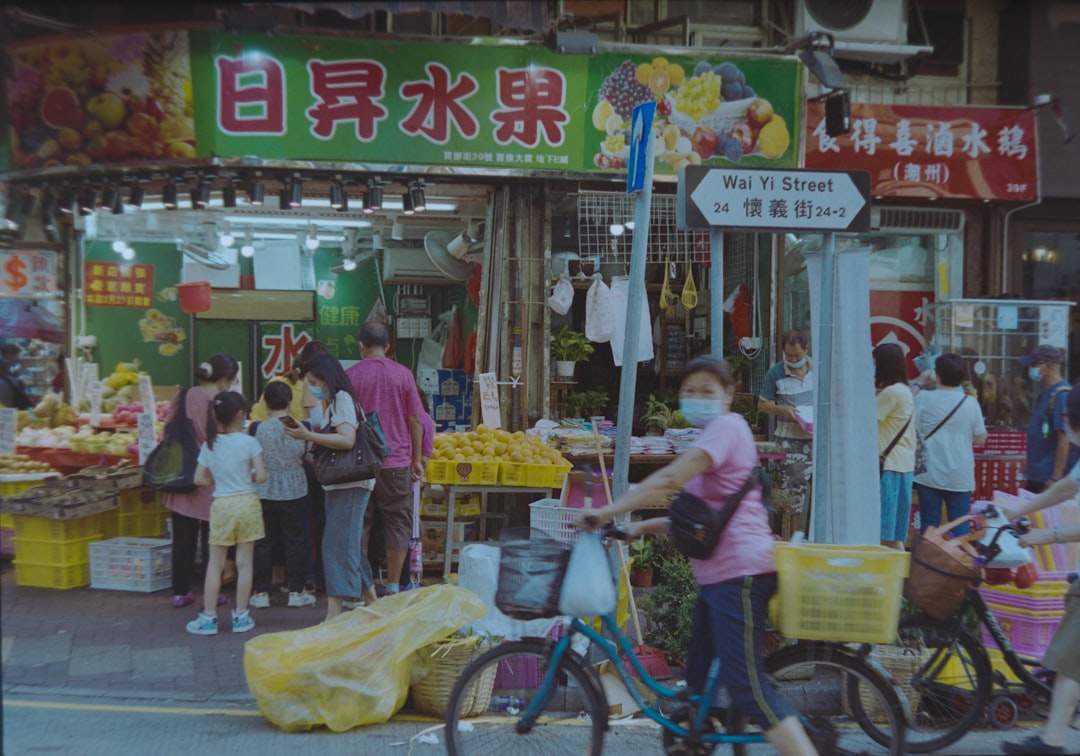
(1049, 453)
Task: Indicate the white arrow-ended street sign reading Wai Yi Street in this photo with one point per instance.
(775, 200)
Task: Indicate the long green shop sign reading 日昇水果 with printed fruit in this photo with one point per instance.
(484, 106)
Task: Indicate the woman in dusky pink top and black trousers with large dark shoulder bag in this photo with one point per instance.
(192, 510)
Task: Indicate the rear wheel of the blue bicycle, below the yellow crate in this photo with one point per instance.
(818, 679)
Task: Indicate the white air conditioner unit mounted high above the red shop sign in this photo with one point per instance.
(873, 31)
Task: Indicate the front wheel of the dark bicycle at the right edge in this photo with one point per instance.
(948, 684)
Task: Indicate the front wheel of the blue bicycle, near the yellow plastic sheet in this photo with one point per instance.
(490, 700)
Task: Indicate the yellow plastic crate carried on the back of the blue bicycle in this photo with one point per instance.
(833, 592)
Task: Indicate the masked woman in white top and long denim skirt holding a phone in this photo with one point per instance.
(347, 572)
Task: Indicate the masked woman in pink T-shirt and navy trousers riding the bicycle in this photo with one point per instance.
(739, 578)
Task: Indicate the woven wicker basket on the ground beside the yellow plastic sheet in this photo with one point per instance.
(437, 669)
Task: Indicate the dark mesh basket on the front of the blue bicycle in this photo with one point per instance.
(532, 568)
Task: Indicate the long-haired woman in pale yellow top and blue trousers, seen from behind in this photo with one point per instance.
(896, 410)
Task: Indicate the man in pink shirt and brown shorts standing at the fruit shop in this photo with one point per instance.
(388, 388)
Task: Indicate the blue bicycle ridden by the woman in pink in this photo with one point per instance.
(538, 696)
